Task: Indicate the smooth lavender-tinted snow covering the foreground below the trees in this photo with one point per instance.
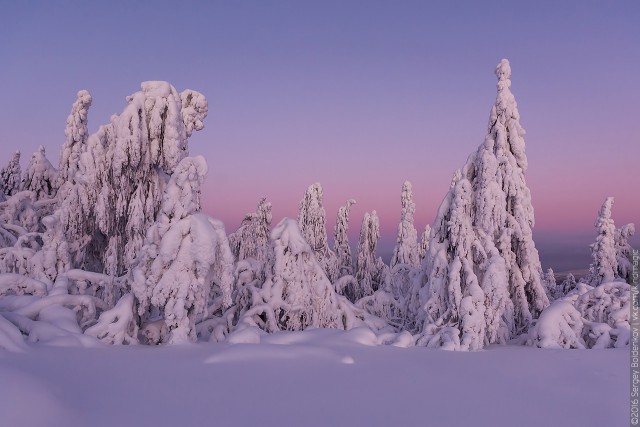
(313, 378)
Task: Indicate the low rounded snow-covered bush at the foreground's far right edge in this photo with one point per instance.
(589, 317)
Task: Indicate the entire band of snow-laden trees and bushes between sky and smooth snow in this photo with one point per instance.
(112, 246)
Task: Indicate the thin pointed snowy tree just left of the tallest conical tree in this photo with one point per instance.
(406, 249)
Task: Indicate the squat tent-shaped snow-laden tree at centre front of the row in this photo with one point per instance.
(297, 293)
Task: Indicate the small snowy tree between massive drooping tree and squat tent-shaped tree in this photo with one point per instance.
(251, 240)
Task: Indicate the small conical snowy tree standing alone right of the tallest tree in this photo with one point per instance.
(604, 266)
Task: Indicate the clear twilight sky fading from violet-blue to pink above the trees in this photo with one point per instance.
(356, 95)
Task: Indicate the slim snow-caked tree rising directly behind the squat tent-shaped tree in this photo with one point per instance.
(312, 223)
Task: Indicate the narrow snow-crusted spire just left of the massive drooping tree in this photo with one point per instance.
(76, 133)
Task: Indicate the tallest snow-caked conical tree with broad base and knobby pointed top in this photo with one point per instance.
(482, 268)
